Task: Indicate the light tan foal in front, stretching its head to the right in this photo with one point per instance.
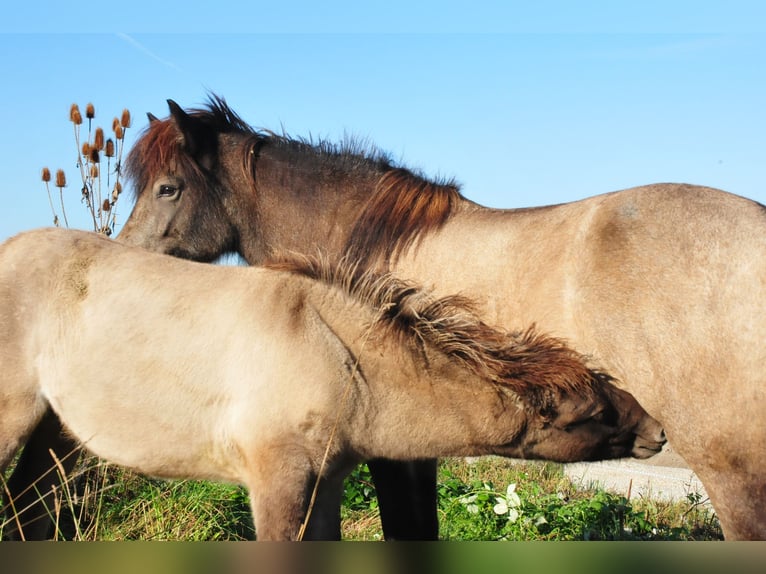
(273, 377)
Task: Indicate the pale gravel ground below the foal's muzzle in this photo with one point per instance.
(663, 476)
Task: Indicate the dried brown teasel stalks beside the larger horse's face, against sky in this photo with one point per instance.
(101, 186)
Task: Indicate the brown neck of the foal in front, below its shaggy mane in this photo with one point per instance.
(405, 384)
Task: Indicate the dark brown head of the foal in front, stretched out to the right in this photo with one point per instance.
(567, 426)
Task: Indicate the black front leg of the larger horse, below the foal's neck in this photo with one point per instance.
(407, 498)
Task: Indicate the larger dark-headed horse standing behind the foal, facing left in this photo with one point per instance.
(664, 285)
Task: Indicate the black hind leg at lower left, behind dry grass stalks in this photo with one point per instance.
(36, 473)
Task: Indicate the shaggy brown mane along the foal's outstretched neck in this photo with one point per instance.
(525, 362)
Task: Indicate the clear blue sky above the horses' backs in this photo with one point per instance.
(523, 105)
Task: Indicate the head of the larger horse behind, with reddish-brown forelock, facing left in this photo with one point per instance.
(182, 192)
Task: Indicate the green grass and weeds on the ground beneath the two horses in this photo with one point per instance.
(475, 503)
